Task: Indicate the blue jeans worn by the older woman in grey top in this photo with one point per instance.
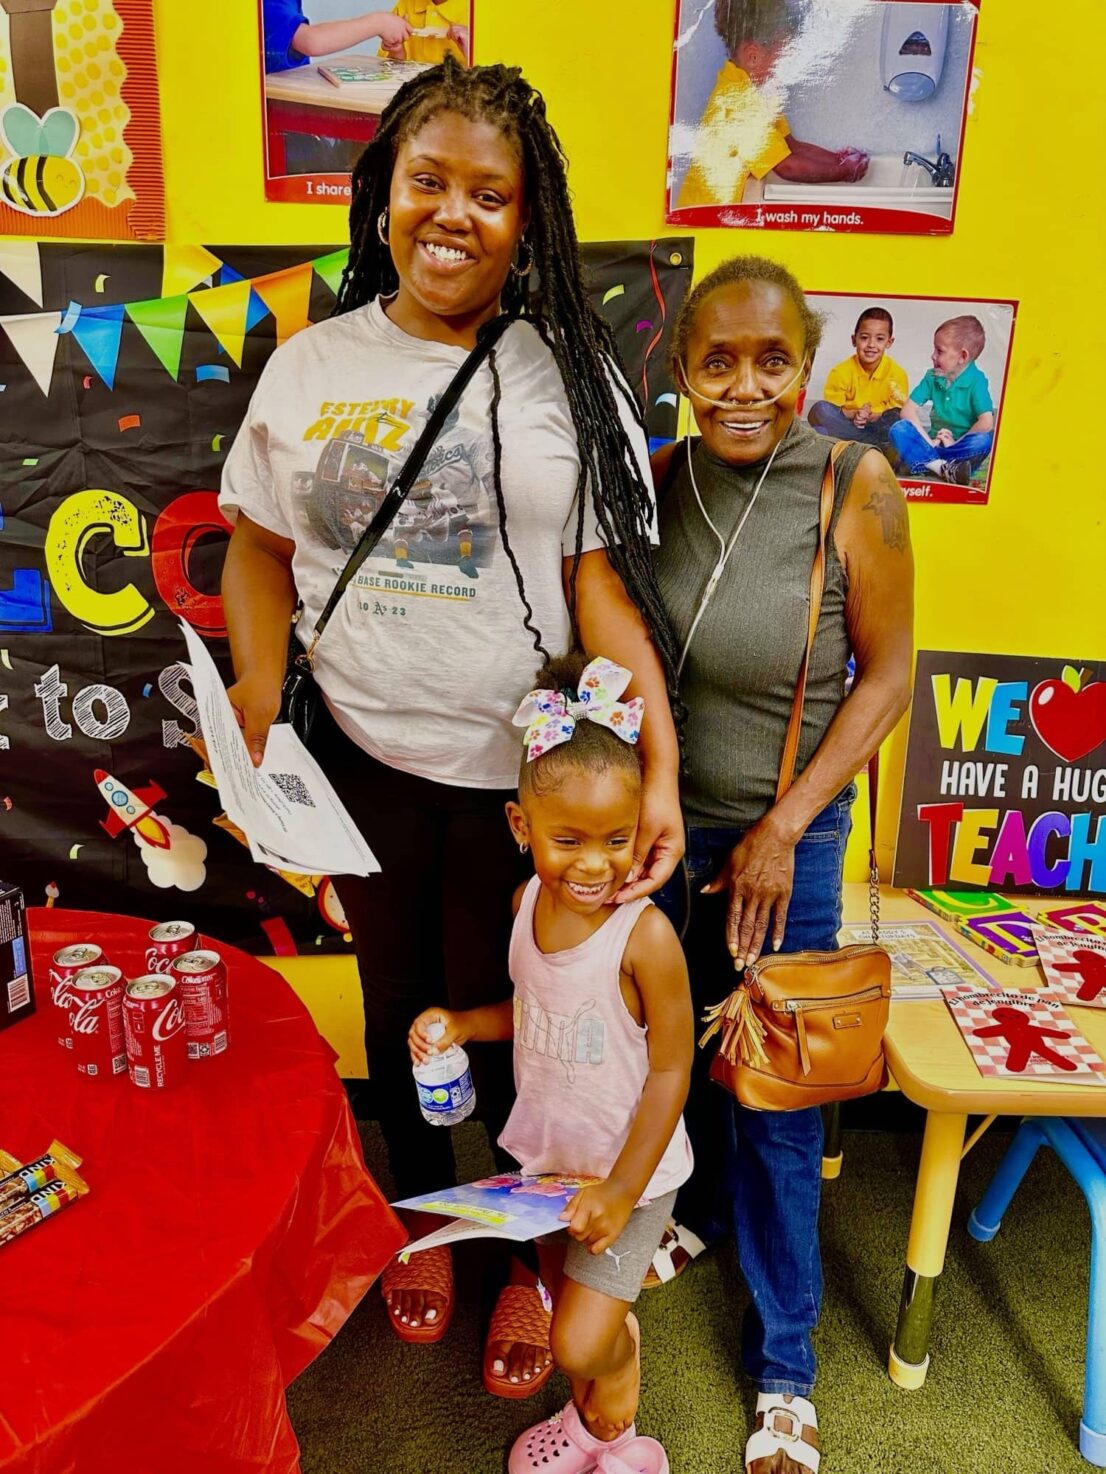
(760, 1171)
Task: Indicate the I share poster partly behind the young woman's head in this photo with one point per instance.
(328, 71)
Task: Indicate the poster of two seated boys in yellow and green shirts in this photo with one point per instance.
(919, 378)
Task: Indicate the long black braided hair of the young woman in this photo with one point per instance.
(552, 298)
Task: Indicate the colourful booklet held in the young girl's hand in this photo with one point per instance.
(507, 1206)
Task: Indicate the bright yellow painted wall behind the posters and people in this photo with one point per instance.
(1023, 574)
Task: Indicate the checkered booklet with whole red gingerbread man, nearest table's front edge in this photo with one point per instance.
(1024, 1037)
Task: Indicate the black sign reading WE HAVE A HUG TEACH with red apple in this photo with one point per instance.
(1005, 778)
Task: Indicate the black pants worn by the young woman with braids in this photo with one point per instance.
(433, 928)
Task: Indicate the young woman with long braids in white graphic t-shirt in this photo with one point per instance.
(530, 525)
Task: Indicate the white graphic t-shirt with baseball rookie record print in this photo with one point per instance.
(427, 658)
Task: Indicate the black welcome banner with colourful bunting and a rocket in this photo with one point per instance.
(125, 375)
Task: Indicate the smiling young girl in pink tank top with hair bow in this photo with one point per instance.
(602, 1030)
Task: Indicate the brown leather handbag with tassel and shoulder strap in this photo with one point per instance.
(807, 1028)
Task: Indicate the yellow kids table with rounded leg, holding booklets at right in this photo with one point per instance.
(931, 1065)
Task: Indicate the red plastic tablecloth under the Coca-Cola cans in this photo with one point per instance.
(231, 1229)
